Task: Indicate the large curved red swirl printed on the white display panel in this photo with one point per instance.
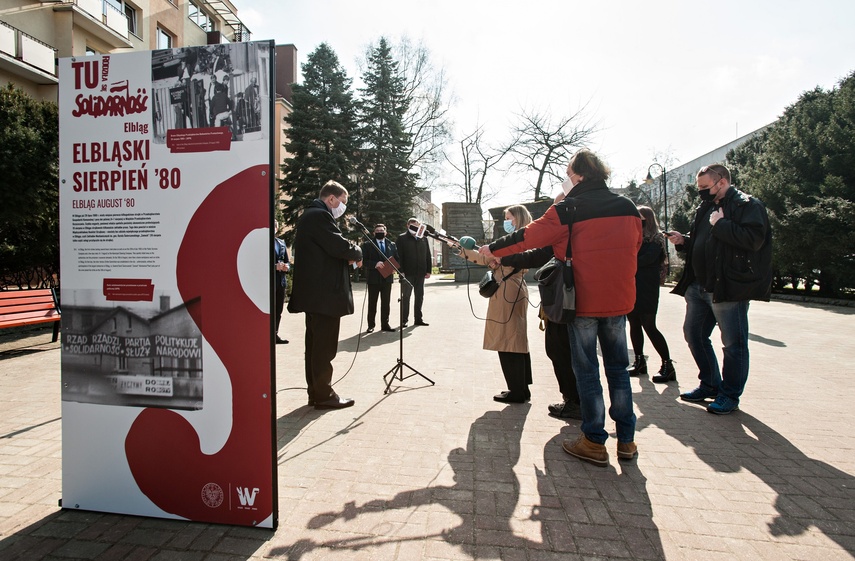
(162, 448)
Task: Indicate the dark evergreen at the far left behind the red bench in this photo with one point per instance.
(29, 197)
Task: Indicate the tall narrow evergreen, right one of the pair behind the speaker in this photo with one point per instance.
(386, 184)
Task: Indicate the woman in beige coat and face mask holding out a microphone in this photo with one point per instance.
(505, 330)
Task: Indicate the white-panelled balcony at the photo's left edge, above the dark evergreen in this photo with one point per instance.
(26, 56)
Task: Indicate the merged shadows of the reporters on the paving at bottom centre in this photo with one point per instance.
(579, 508)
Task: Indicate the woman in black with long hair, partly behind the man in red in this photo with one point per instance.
(651, 255)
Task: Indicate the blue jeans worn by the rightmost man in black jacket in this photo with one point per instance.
(702, 314)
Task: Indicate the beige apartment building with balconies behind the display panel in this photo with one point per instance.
(33, 34)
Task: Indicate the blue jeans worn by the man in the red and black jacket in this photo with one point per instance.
(611, 333)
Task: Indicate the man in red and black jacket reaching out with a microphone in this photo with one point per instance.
(606, 236)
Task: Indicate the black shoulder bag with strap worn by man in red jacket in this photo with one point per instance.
(556, 284)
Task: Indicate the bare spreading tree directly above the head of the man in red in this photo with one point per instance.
(543, 146)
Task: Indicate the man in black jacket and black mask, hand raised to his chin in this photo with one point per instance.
(728, 263)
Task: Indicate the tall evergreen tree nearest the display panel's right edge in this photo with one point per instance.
(321, 134)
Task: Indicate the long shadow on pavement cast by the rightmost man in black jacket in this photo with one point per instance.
(809, 493)
